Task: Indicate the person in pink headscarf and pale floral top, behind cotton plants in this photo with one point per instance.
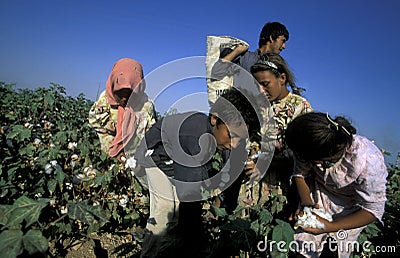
(123, 111)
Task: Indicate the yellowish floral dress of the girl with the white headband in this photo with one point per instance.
(278, 174)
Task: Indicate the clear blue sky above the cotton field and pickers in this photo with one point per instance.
(345, 53)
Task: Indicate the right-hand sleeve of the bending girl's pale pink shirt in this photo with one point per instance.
(372, 182)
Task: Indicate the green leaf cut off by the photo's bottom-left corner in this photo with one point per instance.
(10, 243)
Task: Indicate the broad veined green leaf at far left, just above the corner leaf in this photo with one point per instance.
(25, 209)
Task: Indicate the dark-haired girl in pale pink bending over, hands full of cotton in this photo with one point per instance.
(347, 179)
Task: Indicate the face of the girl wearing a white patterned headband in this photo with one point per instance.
(272, 87)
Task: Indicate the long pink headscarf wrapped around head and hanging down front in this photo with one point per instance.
(126, 74)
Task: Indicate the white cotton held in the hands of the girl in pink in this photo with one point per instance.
(309, 219)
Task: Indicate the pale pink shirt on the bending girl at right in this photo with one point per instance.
(357, 180)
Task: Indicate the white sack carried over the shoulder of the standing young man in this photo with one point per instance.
(214, 45)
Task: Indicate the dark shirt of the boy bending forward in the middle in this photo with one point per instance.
(181, 145)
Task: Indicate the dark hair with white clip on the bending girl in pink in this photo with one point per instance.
(316, 136)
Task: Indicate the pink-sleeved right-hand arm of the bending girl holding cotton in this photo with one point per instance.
(370, 174)
